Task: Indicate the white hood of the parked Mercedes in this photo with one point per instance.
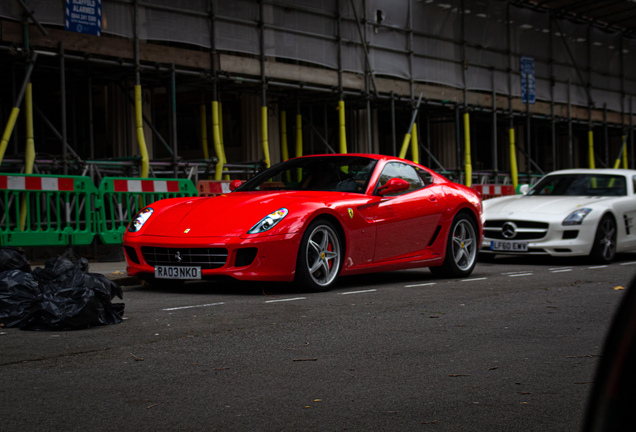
(547, 205)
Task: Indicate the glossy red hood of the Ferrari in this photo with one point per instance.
(225, 215)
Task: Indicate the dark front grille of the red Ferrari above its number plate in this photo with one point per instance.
(206, 258)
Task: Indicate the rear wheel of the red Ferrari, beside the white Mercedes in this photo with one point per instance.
(461, 249)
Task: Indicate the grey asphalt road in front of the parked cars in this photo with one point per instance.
(512, 348)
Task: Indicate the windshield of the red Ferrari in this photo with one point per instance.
(318, 173)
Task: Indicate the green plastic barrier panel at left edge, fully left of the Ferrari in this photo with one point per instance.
(46, 210)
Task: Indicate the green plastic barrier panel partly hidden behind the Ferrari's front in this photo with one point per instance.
(122, 198)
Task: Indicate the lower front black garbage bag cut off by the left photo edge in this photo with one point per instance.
(20, 297)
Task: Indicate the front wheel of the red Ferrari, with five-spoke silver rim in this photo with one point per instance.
(320, 257)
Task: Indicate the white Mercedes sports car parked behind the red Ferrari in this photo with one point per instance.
(577, 212)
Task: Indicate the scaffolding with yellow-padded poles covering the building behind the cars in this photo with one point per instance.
(500, 82)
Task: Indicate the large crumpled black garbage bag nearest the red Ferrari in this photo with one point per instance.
(68, 297)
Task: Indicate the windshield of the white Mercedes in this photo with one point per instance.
(581, 185)
